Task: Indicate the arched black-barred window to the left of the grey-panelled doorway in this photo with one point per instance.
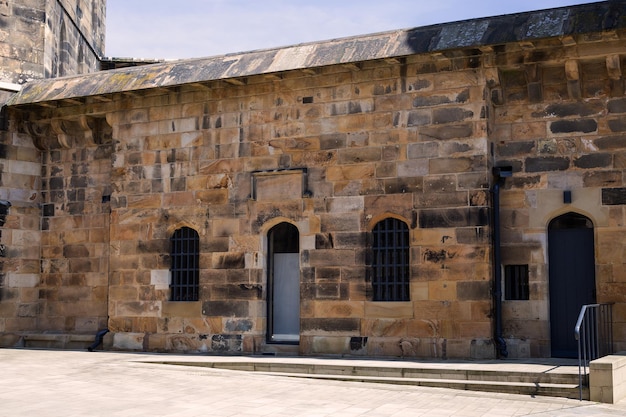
(185, 244)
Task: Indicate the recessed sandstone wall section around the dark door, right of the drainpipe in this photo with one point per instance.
(559, 122)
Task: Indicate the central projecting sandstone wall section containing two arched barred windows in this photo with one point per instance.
(405, 139)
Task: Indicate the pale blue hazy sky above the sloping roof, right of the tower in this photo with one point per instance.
(177, 29)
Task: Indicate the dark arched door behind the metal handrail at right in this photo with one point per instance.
(572, 278)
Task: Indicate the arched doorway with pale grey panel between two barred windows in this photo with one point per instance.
(283, 284)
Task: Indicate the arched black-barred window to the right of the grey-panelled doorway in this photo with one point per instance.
(390, 265)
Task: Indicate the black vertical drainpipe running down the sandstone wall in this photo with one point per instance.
(499, 174)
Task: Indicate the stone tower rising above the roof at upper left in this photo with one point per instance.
(50, 38)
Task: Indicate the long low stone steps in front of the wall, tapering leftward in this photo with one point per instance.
(548, 381)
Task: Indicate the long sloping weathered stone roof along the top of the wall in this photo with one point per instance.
(560, 22)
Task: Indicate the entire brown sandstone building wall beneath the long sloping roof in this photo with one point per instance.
(331, 150)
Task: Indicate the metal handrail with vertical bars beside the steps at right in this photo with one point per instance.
(594, 334)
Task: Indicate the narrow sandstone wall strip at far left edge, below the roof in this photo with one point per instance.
(19, 239)
